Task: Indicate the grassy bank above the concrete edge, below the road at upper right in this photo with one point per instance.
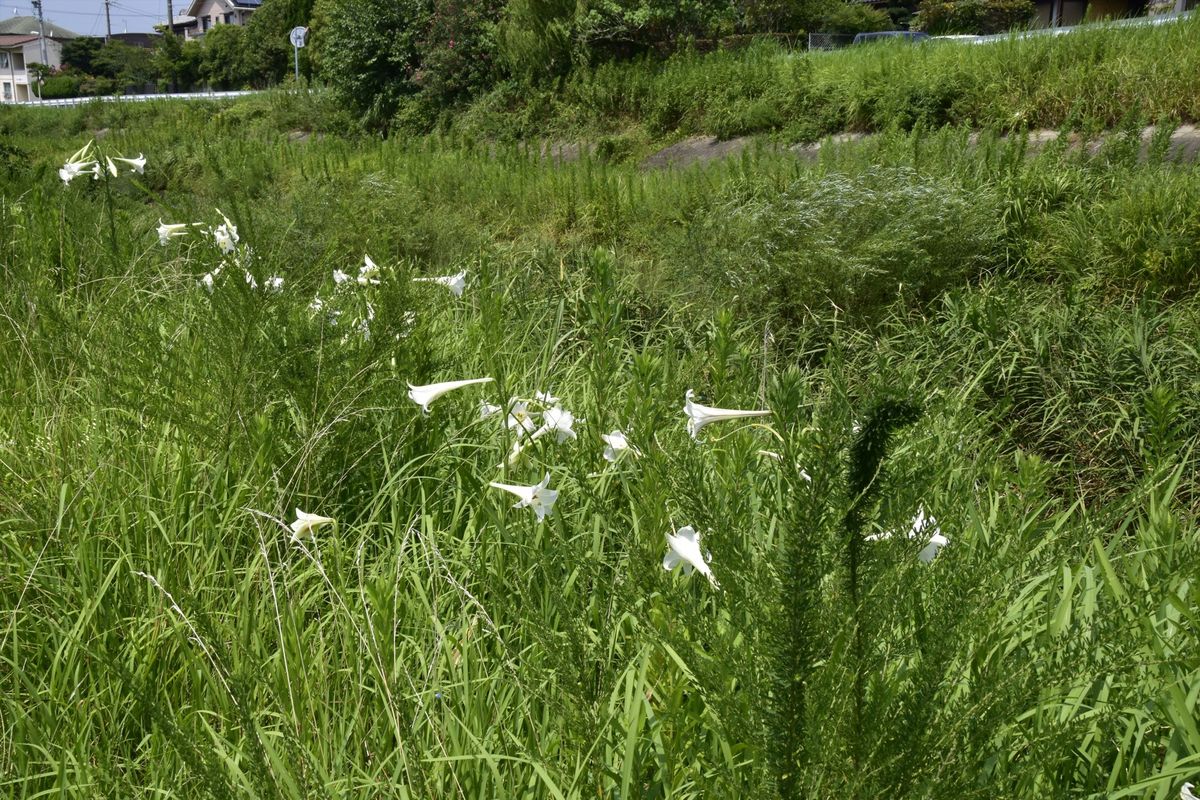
(1100, 77)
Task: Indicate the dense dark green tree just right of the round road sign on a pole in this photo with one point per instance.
(369, 52)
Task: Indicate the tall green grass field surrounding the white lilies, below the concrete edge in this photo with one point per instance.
(437, 643)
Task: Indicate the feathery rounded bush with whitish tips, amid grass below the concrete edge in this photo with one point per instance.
(856, 243)
